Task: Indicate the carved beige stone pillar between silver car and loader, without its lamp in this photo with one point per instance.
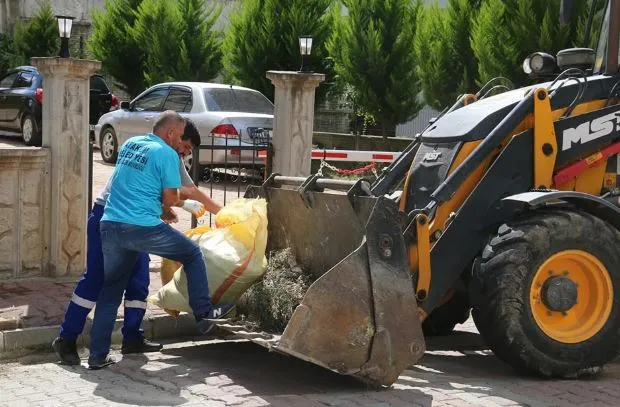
(293, 121)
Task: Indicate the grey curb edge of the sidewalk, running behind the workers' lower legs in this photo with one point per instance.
(17, 342)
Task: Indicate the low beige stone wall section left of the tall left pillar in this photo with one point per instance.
(24, 212)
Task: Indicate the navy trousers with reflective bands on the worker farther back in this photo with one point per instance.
(88, 288)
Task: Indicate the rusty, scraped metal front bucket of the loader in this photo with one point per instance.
(359, 317)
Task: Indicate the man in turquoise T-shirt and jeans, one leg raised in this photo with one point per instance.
(145, 178)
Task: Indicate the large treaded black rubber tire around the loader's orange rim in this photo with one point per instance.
(501, 293)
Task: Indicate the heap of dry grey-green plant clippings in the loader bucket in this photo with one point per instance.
(271, 301)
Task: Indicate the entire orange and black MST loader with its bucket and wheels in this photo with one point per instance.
(506, 206)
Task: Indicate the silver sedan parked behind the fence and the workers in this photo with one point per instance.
(226, 116)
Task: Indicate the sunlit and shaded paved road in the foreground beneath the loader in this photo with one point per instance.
(239, 373)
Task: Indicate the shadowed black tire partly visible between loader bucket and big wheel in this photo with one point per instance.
(444, 318)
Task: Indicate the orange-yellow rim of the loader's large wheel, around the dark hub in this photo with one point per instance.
(587, 316)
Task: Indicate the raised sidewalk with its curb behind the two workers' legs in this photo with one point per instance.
(31, 312)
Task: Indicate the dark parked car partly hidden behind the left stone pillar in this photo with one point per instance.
(21, 97)
